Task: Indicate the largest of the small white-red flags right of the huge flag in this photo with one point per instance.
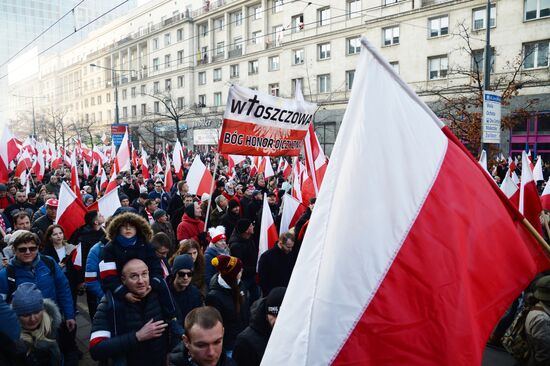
(529, 200)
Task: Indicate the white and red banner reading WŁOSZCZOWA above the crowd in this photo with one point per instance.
(260, 124)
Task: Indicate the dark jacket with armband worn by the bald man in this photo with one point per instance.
(123, 319)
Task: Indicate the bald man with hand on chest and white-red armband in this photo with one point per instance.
(133, 333)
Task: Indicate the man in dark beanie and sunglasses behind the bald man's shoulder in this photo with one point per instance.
(186, 295)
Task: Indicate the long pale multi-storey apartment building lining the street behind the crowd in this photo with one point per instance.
(186, 54)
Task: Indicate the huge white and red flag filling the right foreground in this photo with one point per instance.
(432, 262)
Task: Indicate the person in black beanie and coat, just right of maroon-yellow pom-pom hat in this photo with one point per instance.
(242, 246)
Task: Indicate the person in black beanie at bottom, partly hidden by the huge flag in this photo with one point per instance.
(252, 342)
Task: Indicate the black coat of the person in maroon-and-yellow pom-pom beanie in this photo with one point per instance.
(233, 323)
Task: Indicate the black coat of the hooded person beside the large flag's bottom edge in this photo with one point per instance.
(251, 342)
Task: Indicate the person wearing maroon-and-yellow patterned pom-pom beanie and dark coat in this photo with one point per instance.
(229, 298)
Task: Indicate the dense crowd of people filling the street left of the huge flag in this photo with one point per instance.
(169, 278)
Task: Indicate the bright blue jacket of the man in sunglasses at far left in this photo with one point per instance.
(54, 287)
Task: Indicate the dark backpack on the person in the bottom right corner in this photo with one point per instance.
(515, 338)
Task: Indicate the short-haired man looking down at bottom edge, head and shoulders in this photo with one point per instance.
(203, 340)
